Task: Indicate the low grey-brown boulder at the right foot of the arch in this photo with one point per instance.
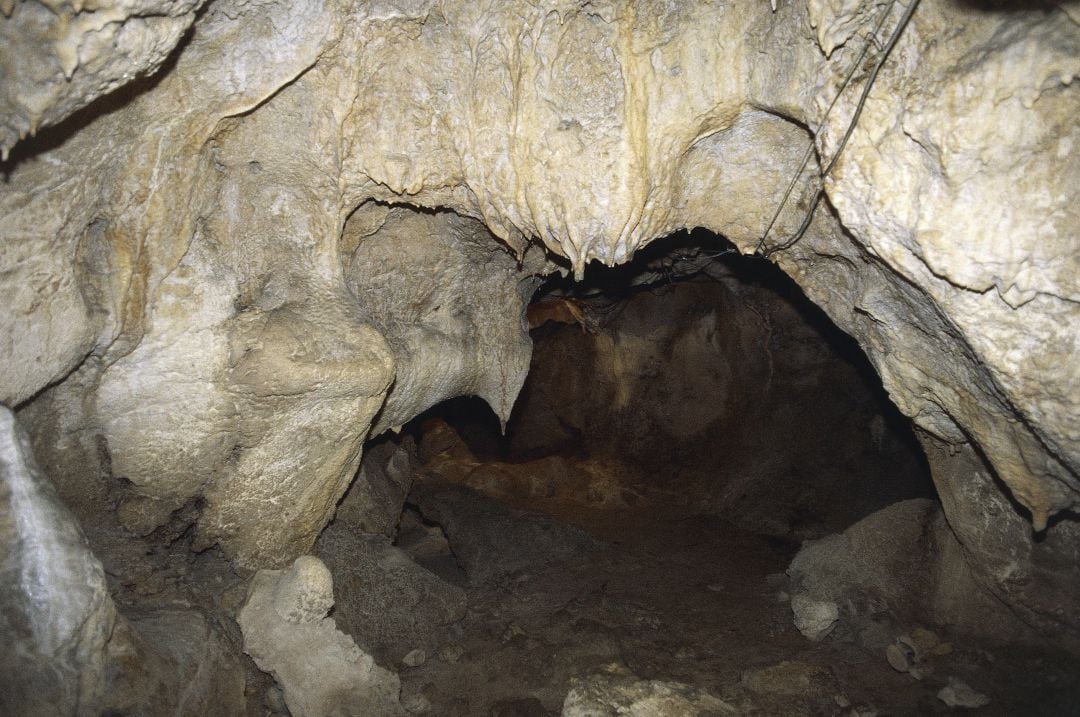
(904, 566)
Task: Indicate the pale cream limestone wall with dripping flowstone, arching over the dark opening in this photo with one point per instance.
(178, 245)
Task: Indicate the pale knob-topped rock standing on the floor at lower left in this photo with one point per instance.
(321, 670)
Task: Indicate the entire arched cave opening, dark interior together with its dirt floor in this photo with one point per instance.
(688, 422)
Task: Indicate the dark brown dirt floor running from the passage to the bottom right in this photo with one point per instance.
(688, 599)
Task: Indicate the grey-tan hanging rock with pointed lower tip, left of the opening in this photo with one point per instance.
(450, 300)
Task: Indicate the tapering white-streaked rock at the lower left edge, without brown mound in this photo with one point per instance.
(57, 614)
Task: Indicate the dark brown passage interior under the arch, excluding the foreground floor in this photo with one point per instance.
(695, 381)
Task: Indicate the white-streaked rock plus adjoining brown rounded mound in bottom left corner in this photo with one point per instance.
(69, 652)
